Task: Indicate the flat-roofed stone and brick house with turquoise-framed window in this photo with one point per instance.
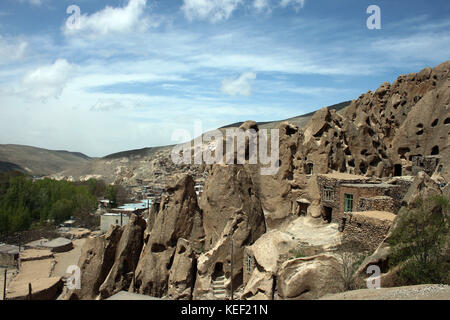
(364, 209)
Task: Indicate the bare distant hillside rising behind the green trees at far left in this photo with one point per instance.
(38, 161)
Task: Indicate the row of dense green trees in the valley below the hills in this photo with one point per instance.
(25, 203)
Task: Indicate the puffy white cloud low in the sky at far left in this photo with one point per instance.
(46, 82)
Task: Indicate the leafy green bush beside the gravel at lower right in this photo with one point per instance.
(420, 242)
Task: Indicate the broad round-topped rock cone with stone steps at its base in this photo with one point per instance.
(233, 218)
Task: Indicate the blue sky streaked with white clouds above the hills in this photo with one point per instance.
(133, 71)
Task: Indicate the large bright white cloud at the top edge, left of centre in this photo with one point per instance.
(111, 20)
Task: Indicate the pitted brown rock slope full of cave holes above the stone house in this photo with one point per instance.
(378, 131)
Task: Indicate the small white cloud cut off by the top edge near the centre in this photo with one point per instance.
(212, 10)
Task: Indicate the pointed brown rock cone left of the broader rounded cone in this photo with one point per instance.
(179, 217)
